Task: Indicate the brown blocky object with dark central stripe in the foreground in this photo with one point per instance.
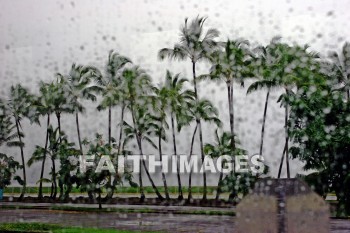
(282, 205)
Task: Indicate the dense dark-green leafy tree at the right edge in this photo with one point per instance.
(319, 123)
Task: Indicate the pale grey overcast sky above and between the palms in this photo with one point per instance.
(40, 38)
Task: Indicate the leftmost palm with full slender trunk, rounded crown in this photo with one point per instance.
(19, 106)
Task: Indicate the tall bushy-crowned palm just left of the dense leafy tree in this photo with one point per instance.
(282, 67)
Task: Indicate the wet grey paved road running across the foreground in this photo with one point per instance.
(135, 221)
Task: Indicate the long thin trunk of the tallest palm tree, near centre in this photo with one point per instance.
(200, 132)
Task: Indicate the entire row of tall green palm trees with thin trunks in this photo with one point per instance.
(149, 108)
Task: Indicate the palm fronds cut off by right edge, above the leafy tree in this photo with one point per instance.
(341, 66)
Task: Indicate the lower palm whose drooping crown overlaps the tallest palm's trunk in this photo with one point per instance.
(204, 110)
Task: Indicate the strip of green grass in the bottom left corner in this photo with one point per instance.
(43, 227)
